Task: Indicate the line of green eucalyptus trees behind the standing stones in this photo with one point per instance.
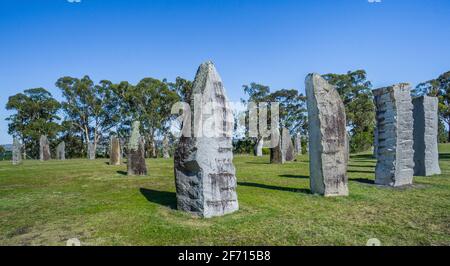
(92, 112)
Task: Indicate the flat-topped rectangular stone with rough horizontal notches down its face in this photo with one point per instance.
(395, 152)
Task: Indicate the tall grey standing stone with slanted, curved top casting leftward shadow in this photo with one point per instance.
(327, 138)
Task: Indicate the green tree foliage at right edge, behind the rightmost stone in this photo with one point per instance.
(439, 87)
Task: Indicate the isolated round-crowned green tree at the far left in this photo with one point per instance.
(35, 115)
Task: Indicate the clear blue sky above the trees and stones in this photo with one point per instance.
(271, 42)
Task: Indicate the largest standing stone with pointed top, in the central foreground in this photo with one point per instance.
(204, 171)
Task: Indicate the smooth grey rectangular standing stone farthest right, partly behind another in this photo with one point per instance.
(426, 123)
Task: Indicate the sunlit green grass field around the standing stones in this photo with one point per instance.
(48, 203)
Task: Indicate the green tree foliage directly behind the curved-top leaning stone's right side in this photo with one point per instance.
(355, 91)
